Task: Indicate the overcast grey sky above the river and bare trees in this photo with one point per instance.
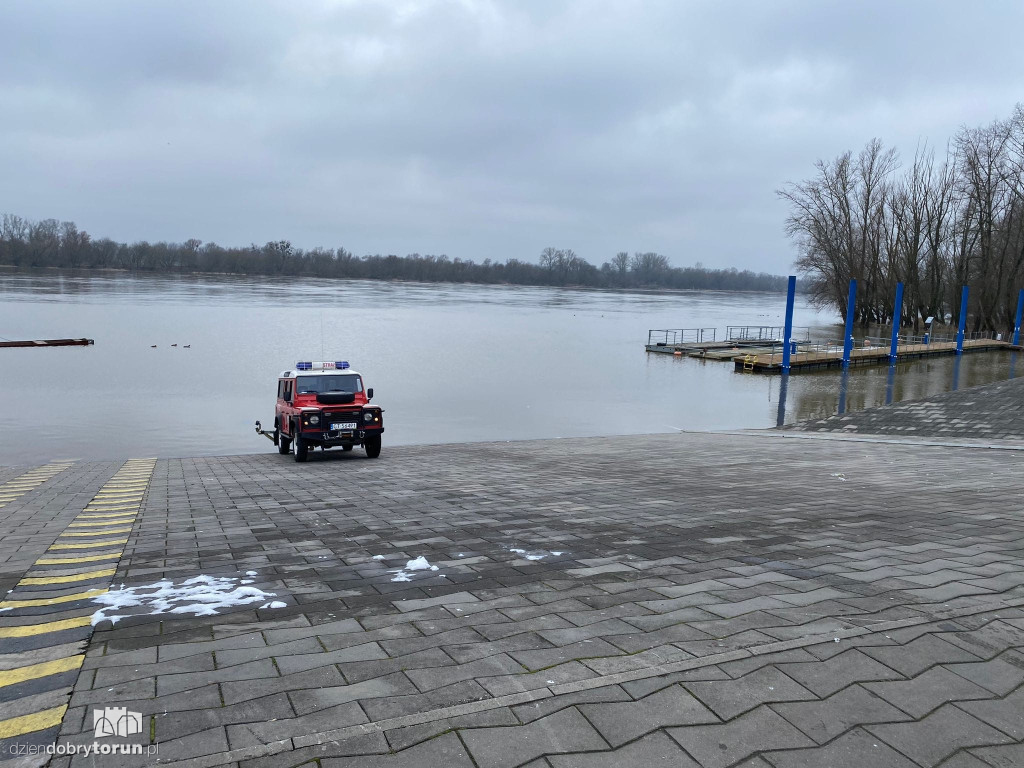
(477, 130)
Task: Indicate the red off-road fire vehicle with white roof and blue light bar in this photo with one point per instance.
(325, 405)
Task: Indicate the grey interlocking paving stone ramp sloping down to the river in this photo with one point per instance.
(706, 601)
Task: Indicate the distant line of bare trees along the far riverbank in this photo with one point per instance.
(51, 243)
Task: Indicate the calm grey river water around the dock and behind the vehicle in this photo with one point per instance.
(448, 363)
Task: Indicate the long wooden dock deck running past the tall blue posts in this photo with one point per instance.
(772, 362)
